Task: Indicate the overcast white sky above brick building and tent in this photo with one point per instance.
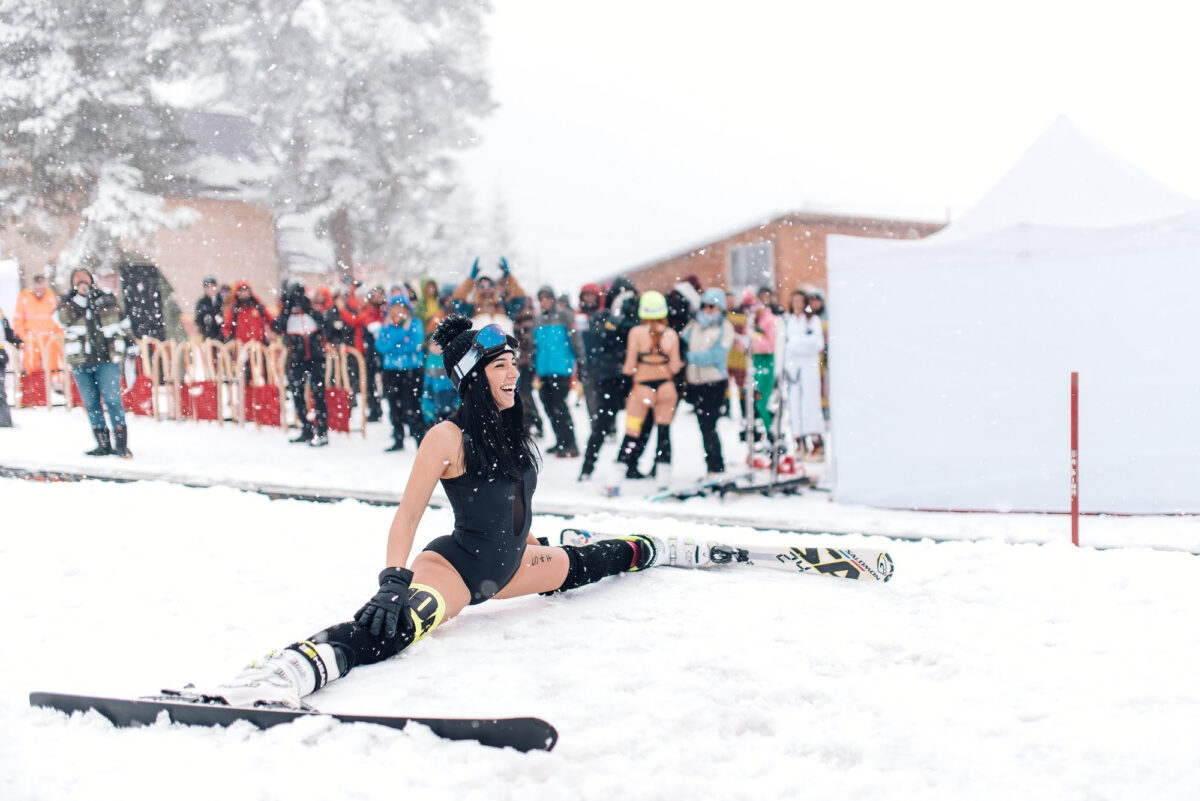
(635, 129)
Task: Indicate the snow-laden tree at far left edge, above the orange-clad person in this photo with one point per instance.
(85, 135)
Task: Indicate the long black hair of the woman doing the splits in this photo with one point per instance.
(495, 444)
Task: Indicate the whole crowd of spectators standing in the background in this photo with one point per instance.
(619, 350)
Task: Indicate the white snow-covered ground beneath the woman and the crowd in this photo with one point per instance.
(1012, 666)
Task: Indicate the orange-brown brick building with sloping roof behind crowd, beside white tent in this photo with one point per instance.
(784, 254)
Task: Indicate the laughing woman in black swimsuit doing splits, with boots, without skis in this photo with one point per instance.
(489, 468)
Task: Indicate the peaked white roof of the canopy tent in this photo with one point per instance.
(1069, 180)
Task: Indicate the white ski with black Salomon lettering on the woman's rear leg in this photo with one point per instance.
(859, 564)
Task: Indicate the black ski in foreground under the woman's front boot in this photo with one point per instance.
(520, 733)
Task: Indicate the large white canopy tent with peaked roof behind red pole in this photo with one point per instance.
(951, 357)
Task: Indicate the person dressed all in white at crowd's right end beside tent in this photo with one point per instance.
(802, 374)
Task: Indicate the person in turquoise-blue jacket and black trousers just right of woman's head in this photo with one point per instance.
(557, 348)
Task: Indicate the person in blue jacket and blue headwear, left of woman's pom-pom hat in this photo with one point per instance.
(399, 345)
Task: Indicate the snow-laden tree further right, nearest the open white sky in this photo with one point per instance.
(364, 101)
